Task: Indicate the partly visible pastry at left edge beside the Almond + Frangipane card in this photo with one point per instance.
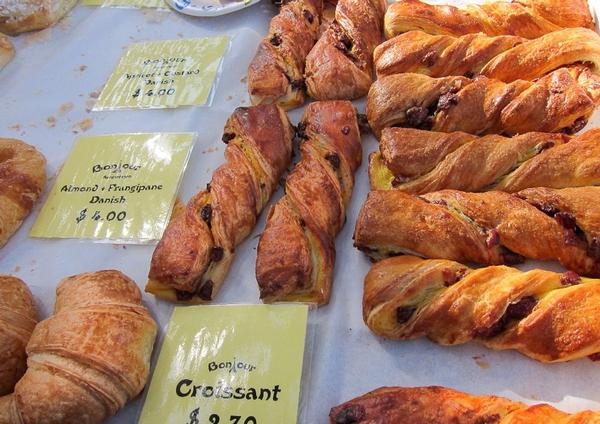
(22, 179)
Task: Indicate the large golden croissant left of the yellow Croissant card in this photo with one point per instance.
(89, 358)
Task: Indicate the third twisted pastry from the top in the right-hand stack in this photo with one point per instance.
(562, 100)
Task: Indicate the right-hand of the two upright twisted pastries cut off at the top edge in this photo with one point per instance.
(340, 65)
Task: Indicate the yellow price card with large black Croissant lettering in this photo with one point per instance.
(238, 364)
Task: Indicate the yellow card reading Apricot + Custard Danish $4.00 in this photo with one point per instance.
(164, 74)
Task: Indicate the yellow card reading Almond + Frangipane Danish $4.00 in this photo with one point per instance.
(119, 187)
